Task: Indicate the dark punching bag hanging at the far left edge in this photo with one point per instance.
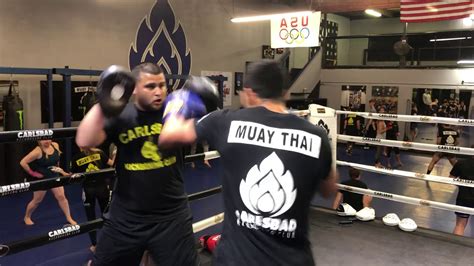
(13, 119)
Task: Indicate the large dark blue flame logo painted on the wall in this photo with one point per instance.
(160, 39)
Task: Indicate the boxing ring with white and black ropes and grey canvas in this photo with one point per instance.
(336, 240)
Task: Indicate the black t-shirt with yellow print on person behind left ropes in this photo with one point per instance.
(92, 161)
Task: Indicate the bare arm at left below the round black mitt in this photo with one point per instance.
(90, 132)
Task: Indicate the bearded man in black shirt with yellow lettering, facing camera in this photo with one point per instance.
(149, 208)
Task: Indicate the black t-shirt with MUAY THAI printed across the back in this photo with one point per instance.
(272, 166)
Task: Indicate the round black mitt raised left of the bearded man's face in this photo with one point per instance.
(115, 87)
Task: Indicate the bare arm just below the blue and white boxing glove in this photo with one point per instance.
(177, 131)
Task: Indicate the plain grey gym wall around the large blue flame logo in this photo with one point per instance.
(93, 34)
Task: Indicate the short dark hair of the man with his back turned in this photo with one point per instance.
(267, 78)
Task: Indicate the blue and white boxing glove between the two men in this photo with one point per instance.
(184, 103)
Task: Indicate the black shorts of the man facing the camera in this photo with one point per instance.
(169, 242)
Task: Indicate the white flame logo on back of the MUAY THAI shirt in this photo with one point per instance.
(268, 188)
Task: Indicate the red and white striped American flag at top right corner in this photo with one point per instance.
(434, 10)
